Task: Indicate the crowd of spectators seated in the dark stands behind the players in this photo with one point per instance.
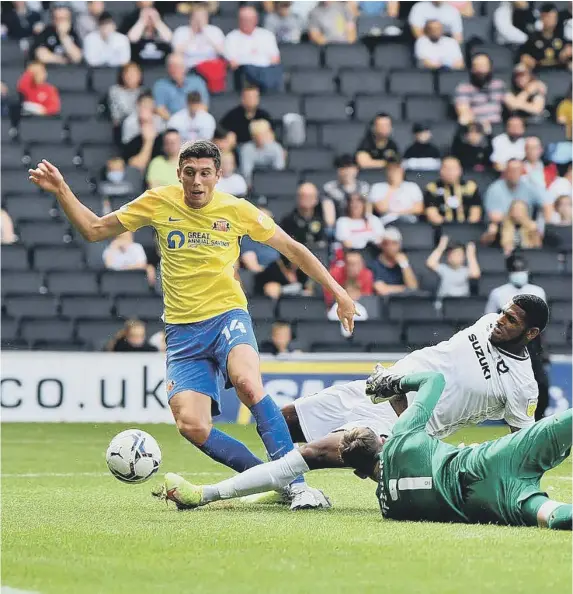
(361, 127)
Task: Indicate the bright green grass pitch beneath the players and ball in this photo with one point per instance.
(89, 533)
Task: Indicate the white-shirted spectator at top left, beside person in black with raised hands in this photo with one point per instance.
(106, 46)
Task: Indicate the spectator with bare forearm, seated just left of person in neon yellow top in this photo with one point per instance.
(140, 133)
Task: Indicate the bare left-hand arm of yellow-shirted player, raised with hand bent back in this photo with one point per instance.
(91, 226)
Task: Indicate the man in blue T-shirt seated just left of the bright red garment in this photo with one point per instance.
(171, 93)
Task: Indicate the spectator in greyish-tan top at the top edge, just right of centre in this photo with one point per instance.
(331, 22)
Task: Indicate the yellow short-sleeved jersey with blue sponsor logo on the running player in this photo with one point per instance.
(199, 248)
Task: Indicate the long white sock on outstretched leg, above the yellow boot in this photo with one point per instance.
(271, 476)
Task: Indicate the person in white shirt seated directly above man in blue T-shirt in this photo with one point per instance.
(198, 42)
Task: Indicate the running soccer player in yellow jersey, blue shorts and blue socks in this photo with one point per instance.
(208, 330)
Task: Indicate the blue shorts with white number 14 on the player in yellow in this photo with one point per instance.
(197, 353)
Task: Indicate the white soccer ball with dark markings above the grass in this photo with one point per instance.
(133, 456)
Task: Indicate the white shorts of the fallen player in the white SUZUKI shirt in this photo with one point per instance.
(343, 406)
